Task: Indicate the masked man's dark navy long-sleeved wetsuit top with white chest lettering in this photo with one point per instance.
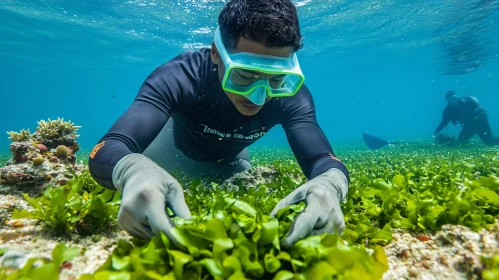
(207, 126)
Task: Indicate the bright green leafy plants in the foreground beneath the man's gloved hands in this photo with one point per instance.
(234, 241)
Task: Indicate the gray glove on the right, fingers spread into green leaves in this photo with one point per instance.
(322, 214)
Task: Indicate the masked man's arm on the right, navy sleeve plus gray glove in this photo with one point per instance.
(328, 178)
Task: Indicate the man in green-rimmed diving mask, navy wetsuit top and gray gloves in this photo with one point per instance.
(199, 112)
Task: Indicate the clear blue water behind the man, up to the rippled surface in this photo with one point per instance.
(373, 66)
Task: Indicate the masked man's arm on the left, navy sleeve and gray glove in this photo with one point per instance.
(118, 162)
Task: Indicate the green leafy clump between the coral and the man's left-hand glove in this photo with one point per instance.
(80, 205)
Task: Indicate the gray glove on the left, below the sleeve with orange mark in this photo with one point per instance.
(147, 190)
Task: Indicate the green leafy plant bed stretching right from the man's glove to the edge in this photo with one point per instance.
(420, 190)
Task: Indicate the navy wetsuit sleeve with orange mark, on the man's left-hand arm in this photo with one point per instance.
(159, 96)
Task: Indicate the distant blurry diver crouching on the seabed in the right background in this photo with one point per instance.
(473, 118)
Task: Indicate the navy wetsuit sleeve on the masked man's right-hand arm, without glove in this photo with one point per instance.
(306, 138)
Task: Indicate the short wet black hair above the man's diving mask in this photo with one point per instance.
(273, 23)
